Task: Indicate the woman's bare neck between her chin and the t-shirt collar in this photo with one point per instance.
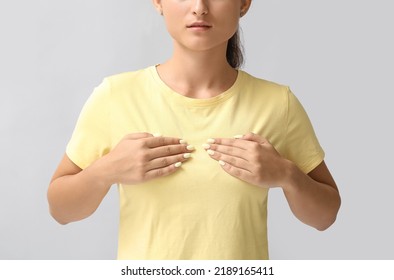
(198, 74)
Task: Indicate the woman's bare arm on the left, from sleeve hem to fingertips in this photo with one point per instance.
(75, 194)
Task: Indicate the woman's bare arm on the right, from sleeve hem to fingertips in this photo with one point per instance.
(313, 198)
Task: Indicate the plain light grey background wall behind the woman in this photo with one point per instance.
(337, 56)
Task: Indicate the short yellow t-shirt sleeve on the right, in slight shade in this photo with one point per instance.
(301, 143)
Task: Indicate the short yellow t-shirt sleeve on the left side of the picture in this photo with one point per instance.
(91, 137)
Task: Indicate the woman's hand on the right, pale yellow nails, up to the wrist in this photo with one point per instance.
(250, 158)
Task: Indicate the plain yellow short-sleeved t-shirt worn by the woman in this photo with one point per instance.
(200, 211)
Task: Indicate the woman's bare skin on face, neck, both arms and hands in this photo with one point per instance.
(198, 69)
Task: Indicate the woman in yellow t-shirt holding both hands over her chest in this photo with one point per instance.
(198, 191)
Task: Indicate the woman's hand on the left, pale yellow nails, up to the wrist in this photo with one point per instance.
(139, 157)
